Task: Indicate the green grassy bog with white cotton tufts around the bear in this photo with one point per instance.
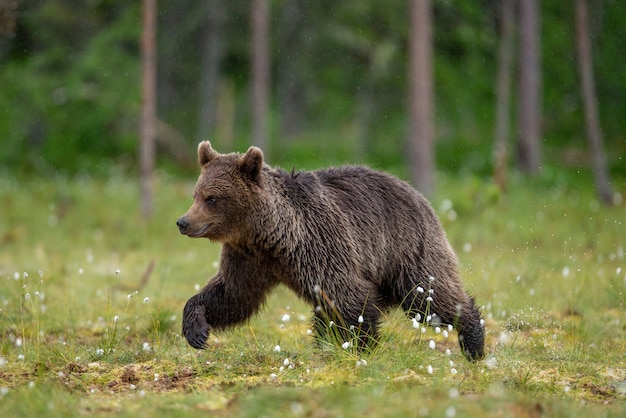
(545, 261)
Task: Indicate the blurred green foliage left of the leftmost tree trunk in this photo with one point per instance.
(73, 91)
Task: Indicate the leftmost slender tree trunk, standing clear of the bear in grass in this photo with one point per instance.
(148, 109)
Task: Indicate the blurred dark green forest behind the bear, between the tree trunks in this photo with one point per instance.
(70, 95)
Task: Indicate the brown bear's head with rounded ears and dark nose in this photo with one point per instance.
(227, 192)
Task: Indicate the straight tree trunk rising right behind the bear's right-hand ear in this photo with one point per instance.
(260, 72)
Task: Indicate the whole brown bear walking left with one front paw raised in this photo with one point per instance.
(351, 241)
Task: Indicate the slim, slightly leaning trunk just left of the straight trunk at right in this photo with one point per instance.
(503, 92)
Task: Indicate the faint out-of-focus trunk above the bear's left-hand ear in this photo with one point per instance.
(211, 59)
